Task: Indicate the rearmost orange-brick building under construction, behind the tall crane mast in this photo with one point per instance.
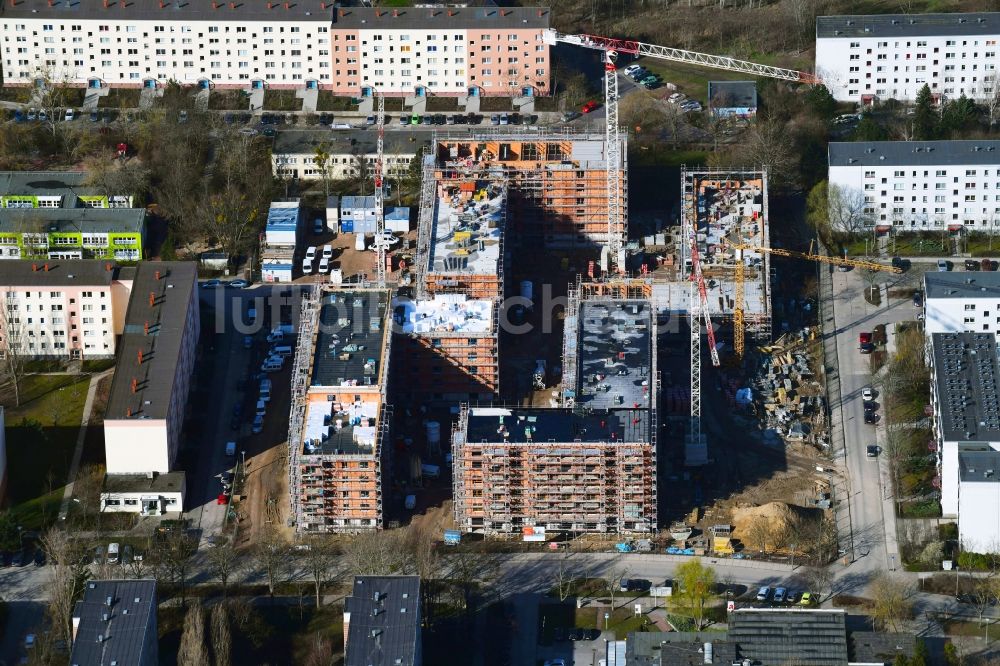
(558, 187)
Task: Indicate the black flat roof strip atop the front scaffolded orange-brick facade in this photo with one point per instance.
(556, 425)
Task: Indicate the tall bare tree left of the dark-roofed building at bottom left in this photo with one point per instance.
(67, 577)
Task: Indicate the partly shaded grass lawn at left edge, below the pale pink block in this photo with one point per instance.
(41, 435)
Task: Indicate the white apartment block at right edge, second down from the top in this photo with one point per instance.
(920, 185)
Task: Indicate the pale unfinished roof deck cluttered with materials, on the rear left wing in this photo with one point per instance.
(467, 236)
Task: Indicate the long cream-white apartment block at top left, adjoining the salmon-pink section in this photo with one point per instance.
(123, 43)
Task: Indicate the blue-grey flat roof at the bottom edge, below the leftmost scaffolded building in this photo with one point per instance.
(385, 621)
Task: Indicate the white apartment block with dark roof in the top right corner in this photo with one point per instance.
(875, 58)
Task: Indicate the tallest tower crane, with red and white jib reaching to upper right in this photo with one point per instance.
(617, 225)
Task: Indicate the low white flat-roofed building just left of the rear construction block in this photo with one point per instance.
(294, 153)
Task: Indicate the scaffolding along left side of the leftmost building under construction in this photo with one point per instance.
(308, 319)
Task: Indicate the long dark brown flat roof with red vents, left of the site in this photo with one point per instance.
(174, 293)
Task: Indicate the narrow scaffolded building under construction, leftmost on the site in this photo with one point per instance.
(339, 422)
